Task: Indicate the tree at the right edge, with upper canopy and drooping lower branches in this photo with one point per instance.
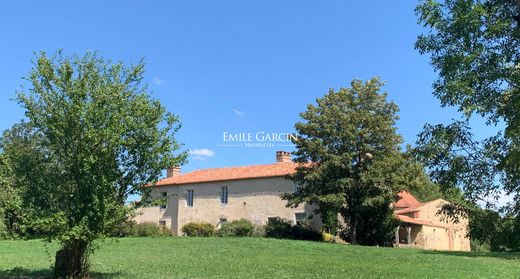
(474, 45)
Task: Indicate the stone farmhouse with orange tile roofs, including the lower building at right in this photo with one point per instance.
(219, 195)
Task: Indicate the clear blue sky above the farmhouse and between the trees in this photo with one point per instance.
(235, 66)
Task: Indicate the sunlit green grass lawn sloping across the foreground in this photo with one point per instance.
(172, 257)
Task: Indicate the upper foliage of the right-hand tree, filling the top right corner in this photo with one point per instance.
(473, 44)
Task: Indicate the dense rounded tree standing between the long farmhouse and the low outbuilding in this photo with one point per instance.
(357, 166)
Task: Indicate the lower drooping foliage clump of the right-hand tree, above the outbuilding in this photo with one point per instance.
(457, 161)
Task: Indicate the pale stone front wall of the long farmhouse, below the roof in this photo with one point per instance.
(253, 199)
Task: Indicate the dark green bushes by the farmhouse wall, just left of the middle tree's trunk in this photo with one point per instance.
(280, 228)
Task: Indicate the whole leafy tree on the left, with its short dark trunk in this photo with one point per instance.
(95, 136)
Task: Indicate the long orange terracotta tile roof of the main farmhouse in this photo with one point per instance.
(231, 173)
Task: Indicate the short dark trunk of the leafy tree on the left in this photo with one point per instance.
(71, 261)
